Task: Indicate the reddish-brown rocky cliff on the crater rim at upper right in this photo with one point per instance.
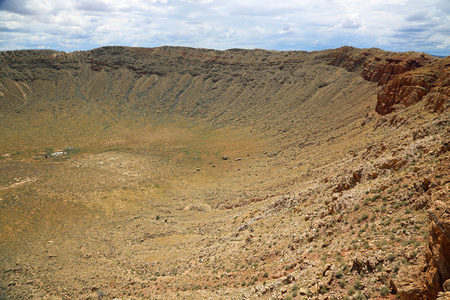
(406, 78)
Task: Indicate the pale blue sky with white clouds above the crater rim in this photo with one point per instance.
(69, 25)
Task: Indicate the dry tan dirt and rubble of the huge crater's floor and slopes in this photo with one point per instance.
(178, 173)
